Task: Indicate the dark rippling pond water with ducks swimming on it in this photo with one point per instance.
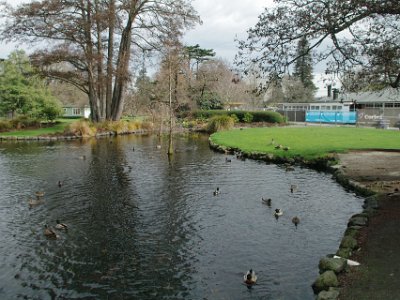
(144, 227)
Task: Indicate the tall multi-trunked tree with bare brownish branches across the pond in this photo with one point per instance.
(96, 39)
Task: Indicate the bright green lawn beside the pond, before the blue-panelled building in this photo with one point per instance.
(308, 142)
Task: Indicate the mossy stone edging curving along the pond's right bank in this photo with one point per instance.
(326, 286)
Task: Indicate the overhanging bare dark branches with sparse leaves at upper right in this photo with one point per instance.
(347, 33)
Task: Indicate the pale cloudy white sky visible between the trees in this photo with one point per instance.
(223, 21)
